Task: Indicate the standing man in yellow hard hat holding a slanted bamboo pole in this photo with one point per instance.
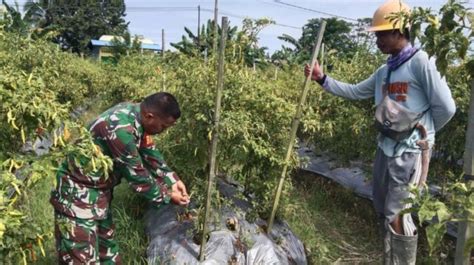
(413, 102)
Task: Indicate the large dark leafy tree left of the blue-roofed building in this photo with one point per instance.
(77, 22)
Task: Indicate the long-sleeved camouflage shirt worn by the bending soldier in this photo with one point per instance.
(120, 135)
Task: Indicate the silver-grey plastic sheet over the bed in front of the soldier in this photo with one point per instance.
(172, 240)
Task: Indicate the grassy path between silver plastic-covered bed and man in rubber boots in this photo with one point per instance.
(335, 226)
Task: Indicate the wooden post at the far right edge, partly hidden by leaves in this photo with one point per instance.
(466, 228)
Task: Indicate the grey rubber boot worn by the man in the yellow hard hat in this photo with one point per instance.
(400, 249)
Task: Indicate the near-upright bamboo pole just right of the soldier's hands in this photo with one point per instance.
(215, 134)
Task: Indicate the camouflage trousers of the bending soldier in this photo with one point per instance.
(85, 241)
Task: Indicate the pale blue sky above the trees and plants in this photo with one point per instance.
(149, 17)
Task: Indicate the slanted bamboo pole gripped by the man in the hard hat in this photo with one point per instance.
(295, 124)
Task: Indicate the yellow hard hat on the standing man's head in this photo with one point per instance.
(380, 21)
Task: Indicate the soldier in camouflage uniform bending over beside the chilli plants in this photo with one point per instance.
(83, 220)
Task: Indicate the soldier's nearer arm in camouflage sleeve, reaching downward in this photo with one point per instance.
(126, 156)
